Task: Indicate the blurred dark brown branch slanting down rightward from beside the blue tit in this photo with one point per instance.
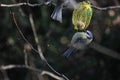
(105, 50)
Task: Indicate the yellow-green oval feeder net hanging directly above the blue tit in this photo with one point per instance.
(82, 15)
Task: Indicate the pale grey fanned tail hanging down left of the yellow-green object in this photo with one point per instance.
(57, 14)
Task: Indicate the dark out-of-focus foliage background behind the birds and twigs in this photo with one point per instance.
(54, 38)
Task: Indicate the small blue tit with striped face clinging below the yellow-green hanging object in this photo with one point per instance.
(79, 41)
